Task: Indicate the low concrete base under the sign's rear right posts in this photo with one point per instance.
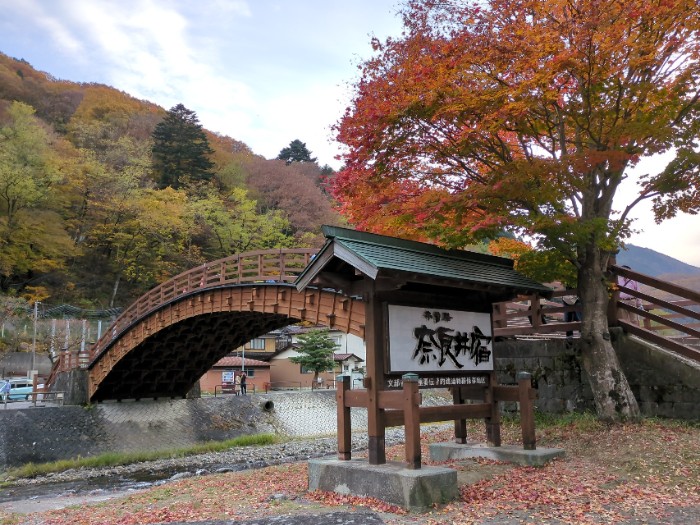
(511, 453)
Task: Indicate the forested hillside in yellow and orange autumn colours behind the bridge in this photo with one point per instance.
(102, 196)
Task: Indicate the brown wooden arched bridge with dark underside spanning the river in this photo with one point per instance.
(164, 342)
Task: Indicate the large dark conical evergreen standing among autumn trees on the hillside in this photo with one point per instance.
(180, 149)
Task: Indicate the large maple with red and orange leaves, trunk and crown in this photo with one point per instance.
(527, 115)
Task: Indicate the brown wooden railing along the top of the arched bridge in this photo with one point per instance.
(280, 265)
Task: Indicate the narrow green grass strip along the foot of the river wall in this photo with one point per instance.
(112, 459)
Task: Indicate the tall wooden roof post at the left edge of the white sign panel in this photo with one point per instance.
(374, 338)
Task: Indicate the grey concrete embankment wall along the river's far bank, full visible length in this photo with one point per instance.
(45, 434)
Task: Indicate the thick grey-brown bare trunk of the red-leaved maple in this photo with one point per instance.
(613, 397)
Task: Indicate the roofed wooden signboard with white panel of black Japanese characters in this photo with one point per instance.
(427, 325)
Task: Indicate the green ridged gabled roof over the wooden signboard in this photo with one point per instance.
(375, 255)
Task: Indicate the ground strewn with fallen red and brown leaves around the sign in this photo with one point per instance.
(610, 474)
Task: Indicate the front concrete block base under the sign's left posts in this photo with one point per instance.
(415, 490)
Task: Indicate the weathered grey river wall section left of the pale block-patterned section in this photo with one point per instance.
(45, 434)
